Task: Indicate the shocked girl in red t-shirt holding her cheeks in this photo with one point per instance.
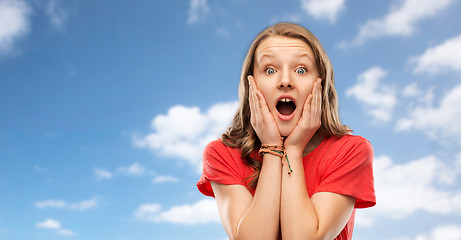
(287, 168)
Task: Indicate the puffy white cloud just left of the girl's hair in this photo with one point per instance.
(184, 131)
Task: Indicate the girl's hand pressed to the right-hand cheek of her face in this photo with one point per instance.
(310, 120)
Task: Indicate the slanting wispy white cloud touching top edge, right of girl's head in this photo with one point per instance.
(400, 21)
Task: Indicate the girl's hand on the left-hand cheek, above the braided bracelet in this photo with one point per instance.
(261, 118)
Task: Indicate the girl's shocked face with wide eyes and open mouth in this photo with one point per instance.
(285, 71)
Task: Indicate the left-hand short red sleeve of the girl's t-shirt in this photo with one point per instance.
(220, 165)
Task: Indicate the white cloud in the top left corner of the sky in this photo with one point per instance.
(14, 23)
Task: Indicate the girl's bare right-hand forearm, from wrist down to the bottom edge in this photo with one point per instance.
(299, 219)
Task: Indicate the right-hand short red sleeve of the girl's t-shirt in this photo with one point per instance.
(351, 173)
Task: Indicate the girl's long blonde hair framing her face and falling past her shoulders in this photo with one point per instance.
(242, 135)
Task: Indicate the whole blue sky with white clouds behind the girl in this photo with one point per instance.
(105, 107)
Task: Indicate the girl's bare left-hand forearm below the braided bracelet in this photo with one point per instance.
(262, 218)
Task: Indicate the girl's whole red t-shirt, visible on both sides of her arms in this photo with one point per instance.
(339, 165)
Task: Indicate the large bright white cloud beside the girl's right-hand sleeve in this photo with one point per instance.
(416, 186)
